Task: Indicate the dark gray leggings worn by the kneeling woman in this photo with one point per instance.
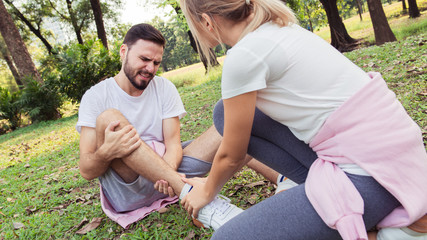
(290, 215)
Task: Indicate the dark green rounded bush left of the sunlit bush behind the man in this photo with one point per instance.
(41, 100)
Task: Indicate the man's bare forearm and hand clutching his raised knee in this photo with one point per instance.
(94, 160)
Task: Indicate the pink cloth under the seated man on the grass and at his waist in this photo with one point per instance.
(127, 218)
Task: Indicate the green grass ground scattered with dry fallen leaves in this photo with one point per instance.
(42, 195)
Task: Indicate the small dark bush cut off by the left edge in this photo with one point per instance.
(9, 109)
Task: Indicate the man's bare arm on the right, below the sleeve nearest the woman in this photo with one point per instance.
(172, 140)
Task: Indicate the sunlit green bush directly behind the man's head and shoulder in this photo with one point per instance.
(82, 66)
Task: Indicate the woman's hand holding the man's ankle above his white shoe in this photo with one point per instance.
(197, 198)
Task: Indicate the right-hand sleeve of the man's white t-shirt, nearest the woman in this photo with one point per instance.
(172, 105)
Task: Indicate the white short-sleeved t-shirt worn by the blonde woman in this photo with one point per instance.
(300, 79)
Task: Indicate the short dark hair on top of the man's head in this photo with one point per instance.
(146, 32)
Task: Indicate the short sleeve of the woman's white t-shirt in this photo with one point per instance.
(243, 72)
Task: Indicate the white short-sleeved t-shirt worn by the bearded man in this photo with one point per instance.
(160, 100)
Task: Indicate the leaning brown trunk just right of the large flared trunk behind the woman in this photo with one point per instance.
(382, 29)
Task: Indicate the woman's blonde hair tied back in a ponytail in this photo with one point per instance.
(233, 10)
